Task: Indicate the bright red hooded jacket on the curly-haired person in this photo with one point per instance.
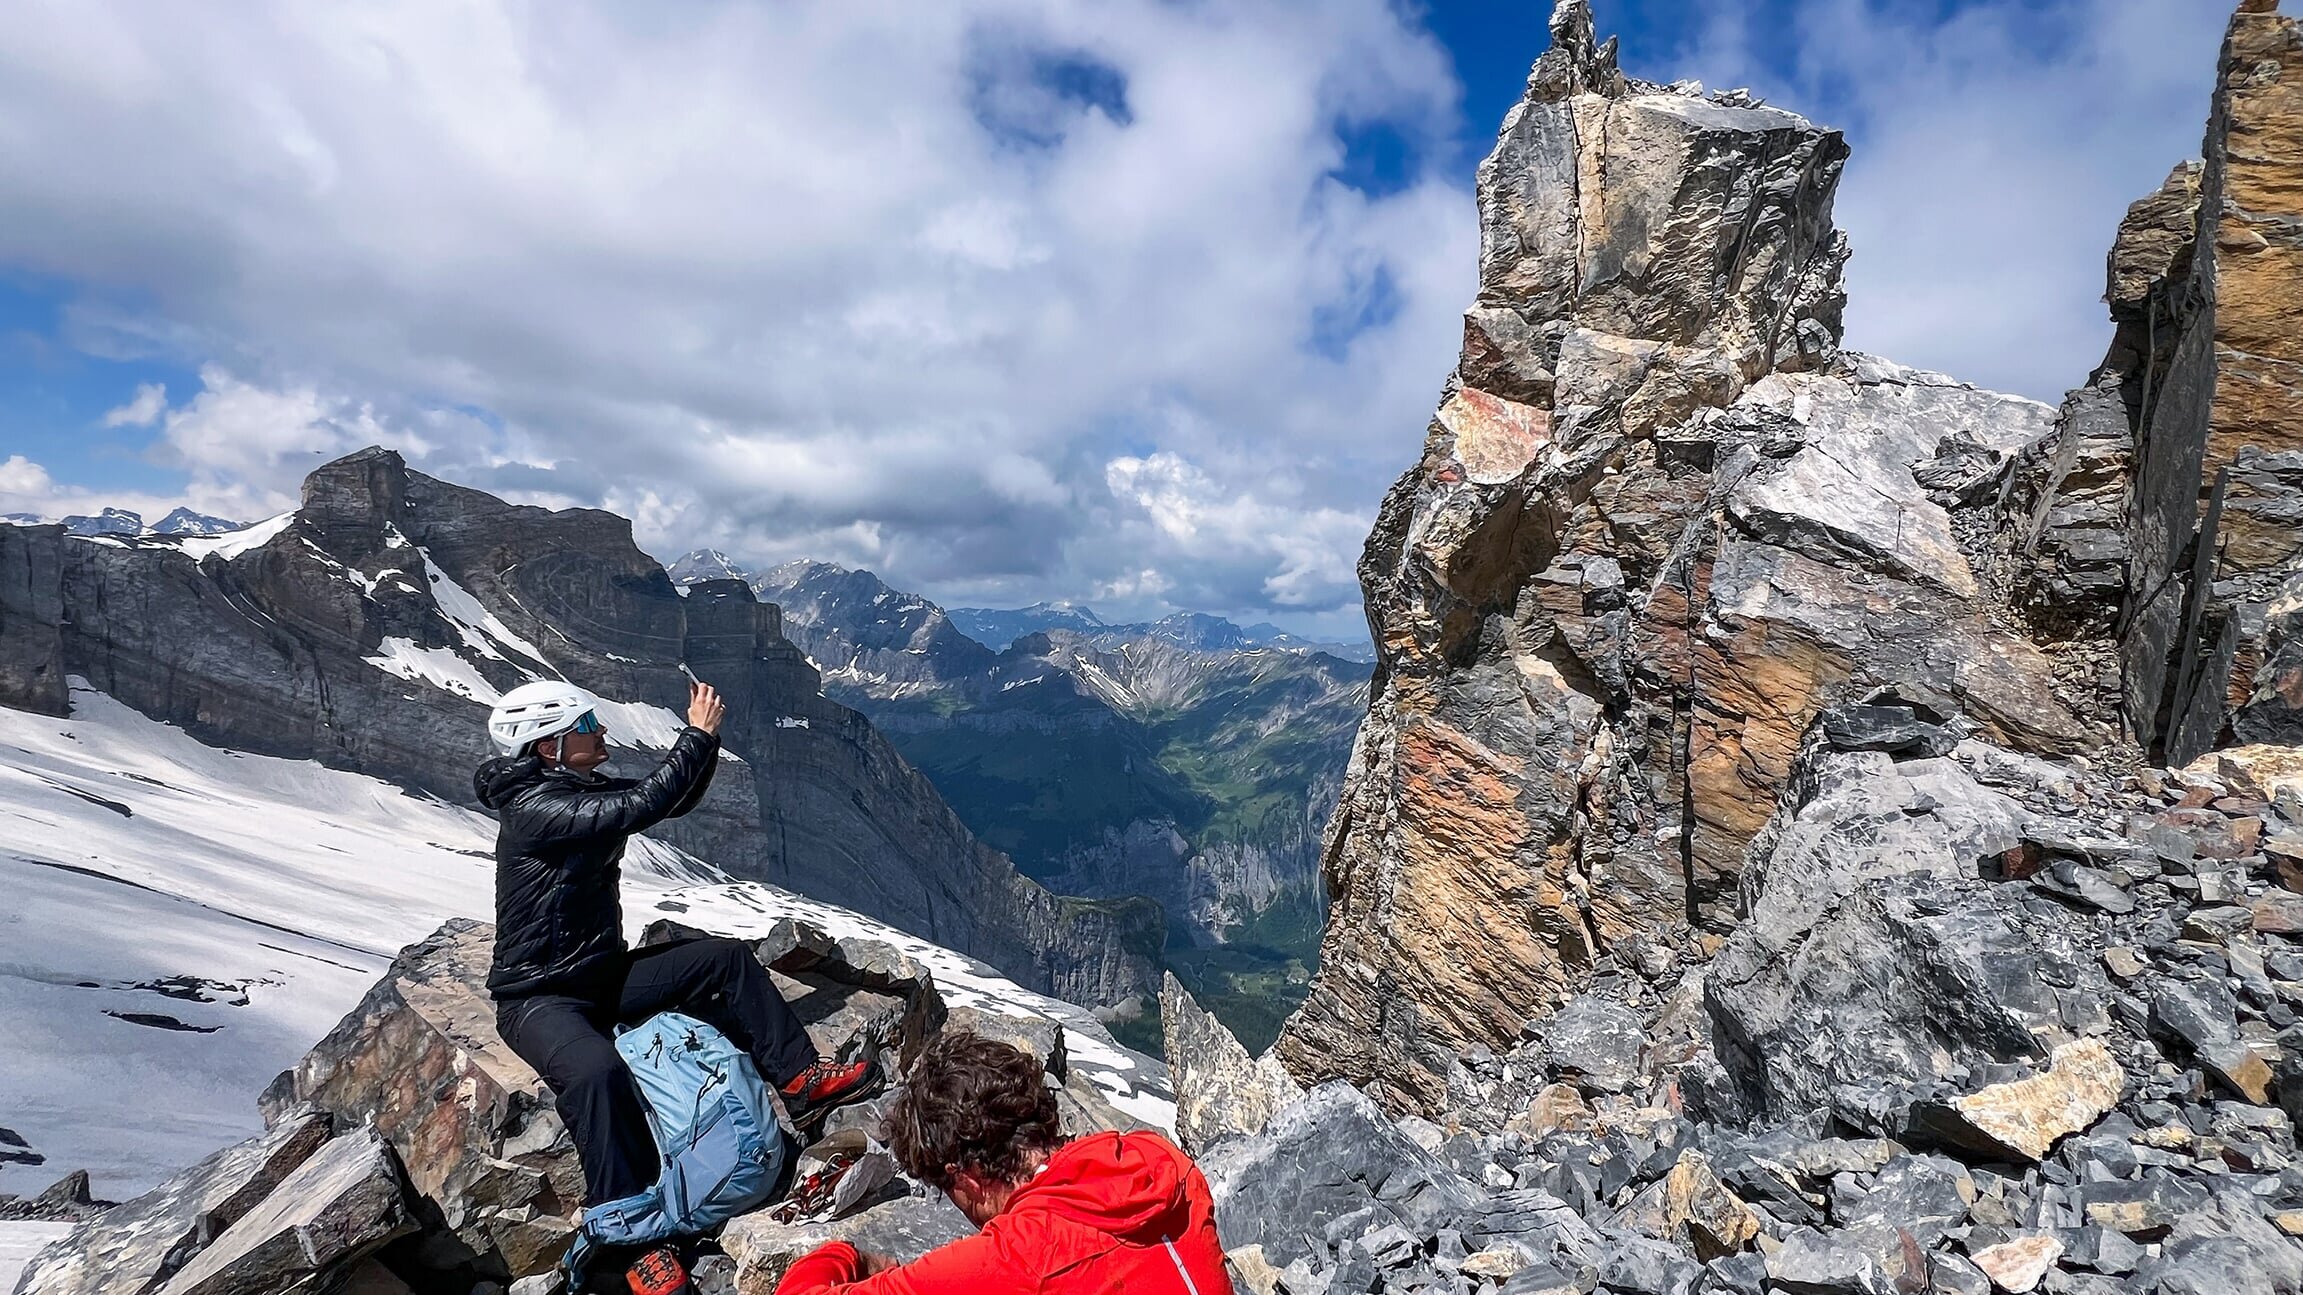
(1111, 1213)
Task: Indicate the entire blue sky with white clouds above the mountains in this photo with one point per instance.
(1123, 303)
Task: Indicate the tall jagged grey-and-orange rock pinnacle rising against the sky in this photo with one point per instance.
(1659, 527)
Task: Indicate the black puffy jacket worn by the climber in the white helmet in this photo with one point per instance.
(561, 856)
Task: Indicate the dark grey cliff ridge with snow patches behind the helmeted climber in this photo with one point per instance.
(370, 630)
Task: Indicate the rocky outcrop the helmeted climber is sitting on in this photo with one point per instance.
(450, 1169)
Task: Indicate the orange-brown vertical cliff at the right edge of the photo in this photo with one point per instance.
(2217, 407)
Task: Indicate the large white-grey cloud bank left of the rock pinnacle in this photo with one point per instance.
(853, 282)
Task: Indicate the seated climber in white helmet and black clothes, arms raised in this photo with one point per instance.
(563, 978)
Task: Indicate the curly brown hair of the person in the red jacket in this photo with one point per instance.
(978, 1105)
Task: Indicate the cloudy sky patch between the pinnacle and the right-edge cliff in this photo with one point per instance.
(1996, 149)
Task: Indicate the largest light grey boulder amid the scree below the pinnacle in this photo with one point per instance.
(1876, 957)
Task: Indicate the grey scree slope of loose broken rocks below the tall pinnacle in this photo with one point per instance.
(1998, 1024)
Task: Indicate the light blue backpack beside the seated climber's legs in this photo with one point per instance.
(724, 1153)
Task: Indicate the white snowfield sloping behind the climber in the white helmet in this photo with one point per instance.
(183, 923)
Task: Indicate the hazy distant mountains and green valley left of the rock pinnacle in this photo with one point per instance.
(1183, 759)
